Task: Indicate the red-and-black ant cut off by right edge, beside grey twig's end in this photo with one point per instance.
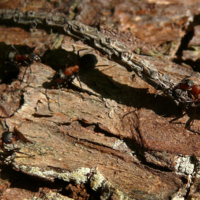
(192, 91)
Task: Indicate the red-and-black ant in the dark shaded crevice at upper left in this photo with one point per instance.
(17, 58)
